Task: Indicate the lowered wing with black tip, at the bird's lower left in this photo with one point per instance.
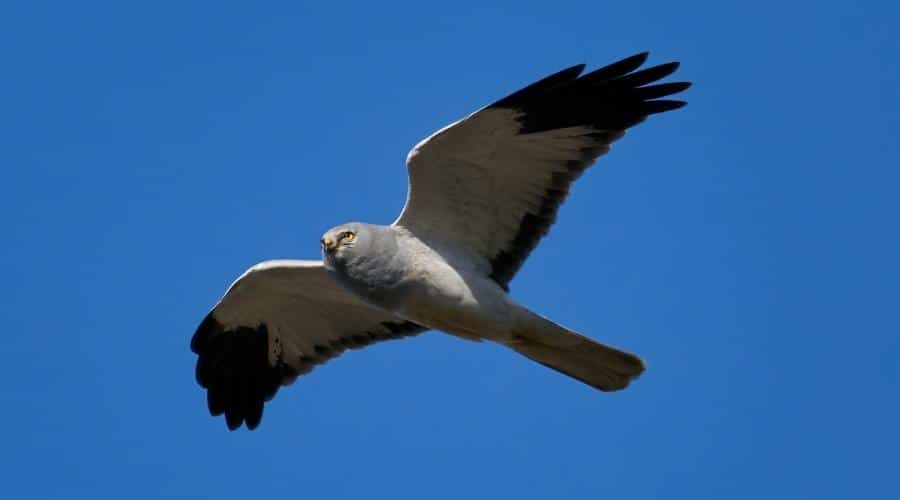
(277, 321)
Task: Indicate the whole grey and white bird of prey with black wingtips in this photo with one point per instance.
(483, 191)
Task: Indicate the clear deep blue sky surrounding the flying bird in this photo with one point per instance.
(746, 246)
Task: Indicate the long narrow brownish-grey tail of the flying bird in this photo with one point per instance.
(575, 355)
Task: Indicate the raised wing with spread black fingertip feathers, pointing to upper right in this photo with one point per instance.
(489, 185)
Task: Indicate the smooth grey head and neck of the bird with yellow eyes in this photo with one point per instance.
(364, 259)
